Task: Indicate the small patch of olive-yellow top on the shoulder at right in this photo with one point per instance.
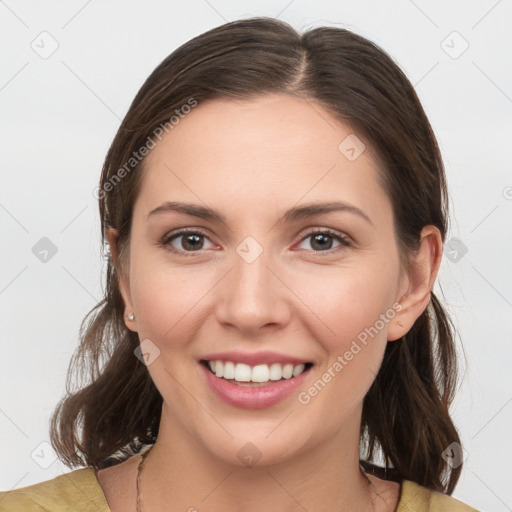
(416, 498)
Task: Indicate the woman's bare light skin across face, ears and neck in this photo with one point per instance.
(251, 160)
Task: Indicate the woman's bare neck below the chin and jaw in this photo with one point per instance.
(180, 471)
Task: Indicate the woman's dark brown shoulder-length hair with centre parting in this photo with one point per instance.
(405, 413)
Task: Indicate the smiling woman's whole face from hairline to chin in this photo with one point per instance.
(261, 285)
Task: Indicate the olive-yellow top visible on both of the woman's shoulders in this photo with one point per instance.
(79, 491)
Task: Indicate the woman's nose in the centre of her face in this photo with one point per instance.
(253, 296)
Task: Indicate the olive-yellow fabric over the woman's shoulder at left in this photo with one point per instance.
(78, 490)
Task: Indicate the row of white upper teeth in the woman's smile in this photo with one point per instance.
(261, 373)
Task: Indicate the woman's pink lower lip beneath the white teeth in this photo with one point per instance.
(258, 397)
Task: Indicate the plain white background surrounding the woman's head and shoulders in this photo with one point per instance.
(59, 115)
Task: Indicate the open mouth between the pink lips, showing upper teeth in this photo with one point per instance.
(245, 375)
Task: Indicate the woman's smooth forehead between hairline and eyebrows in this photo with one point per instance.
(260, 155)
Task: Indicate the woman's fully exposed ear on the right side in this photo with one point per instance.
(419, 281)
